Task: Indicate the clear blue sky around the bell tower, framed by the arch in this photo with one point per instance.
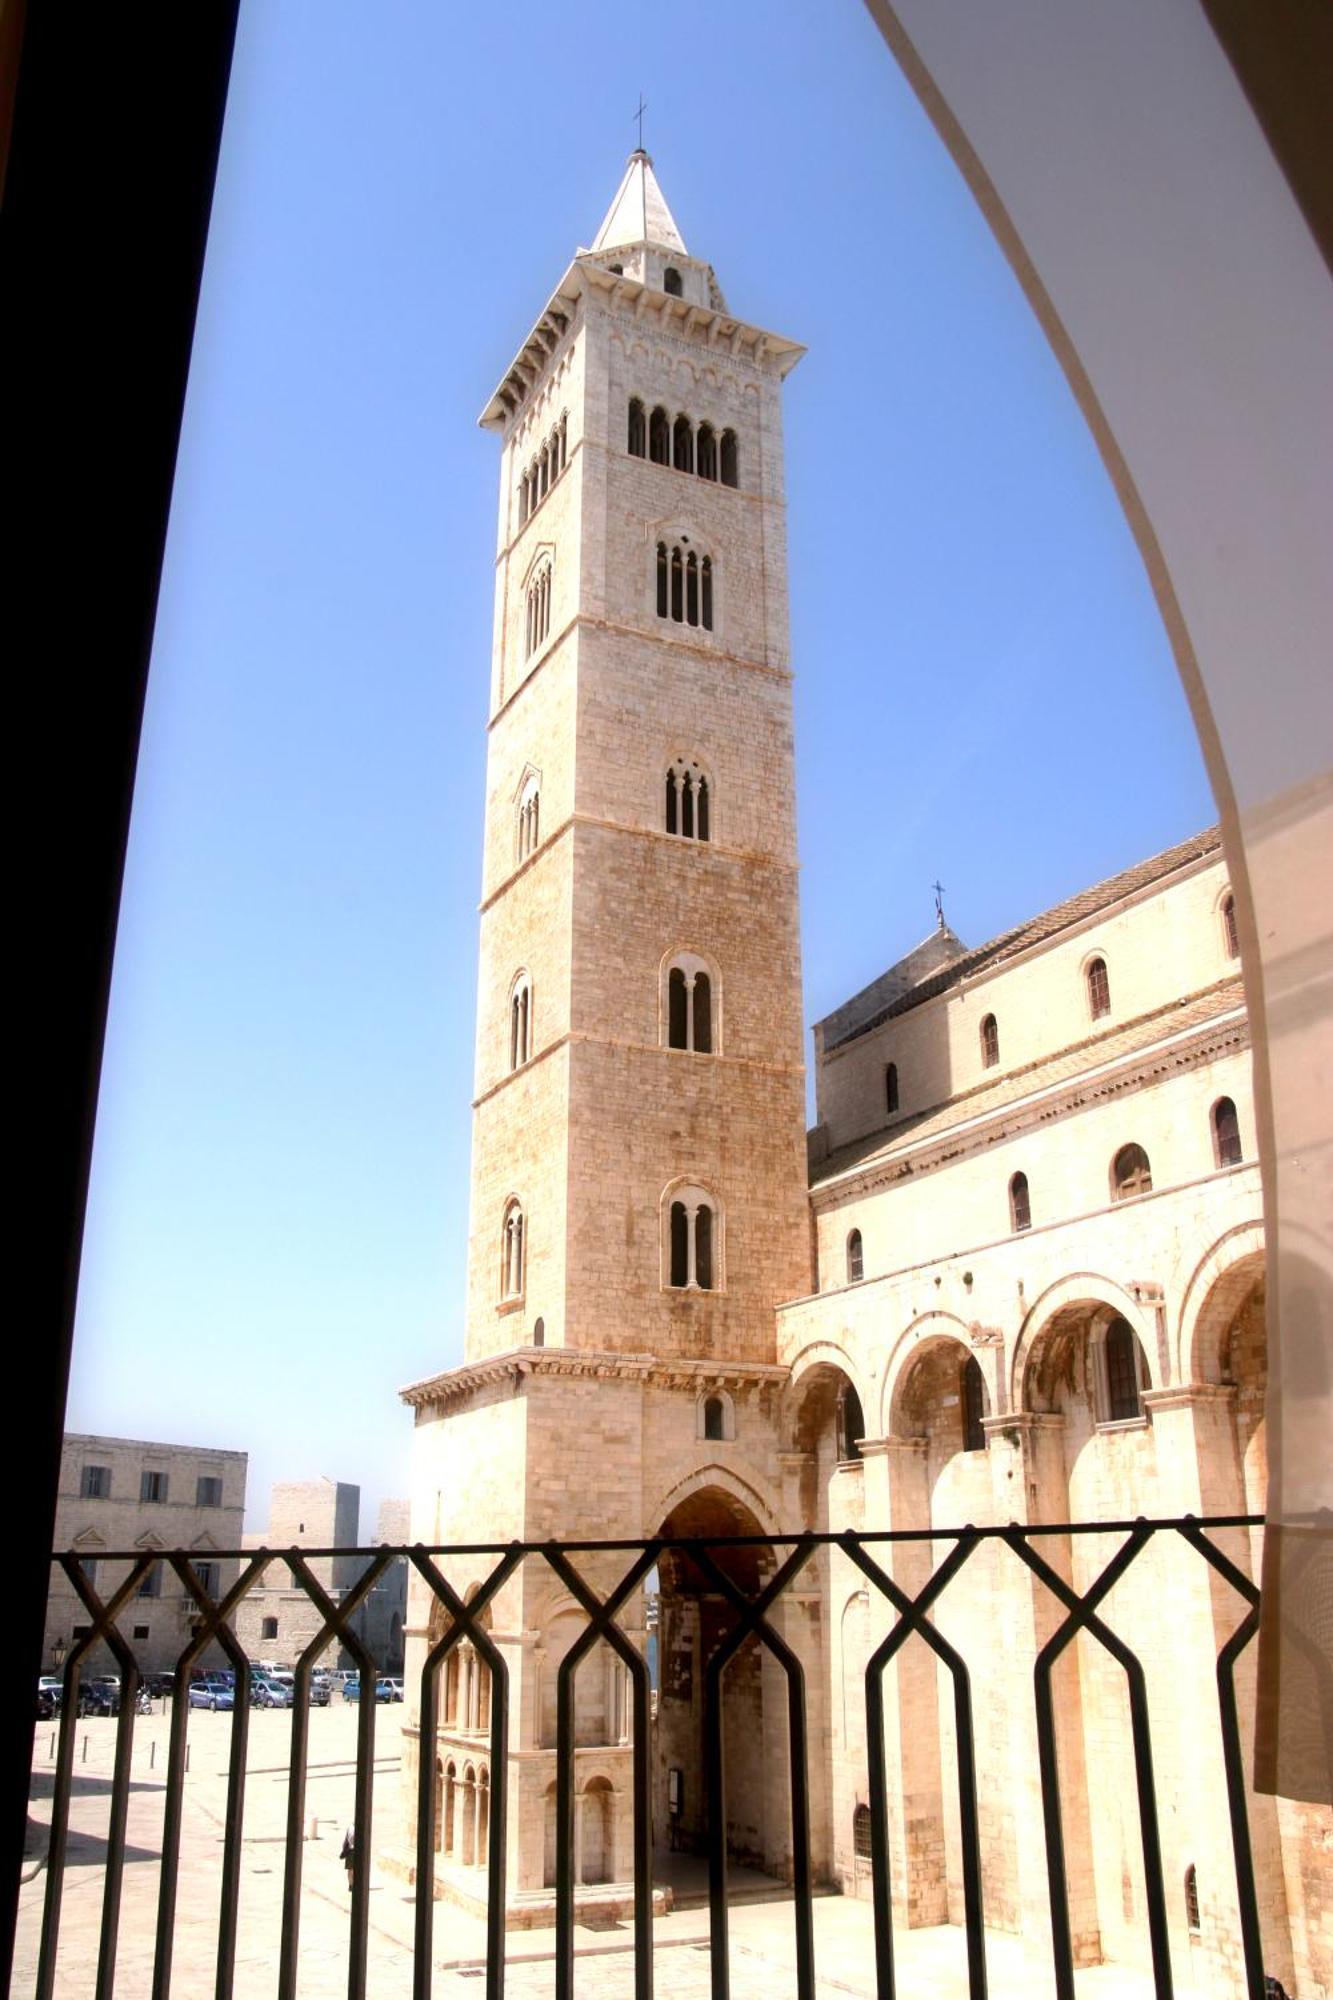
(984, 689)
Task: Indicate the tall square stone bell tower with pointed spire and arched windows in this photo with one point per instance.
(639, 1195)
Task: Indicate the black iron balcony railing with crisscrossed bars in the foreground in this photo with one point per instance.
(463, 1611)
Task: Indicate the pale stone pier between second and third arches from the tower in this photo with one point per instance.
(1032, 1487)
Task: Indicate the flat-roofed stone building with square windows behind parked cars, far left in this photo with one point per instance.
(127, 1493)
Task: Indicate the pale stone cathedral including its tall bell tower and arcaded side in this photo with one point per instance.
(1016, 1275)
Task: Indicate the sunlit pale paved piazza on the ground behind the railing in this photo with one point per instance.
(762, 1933)
